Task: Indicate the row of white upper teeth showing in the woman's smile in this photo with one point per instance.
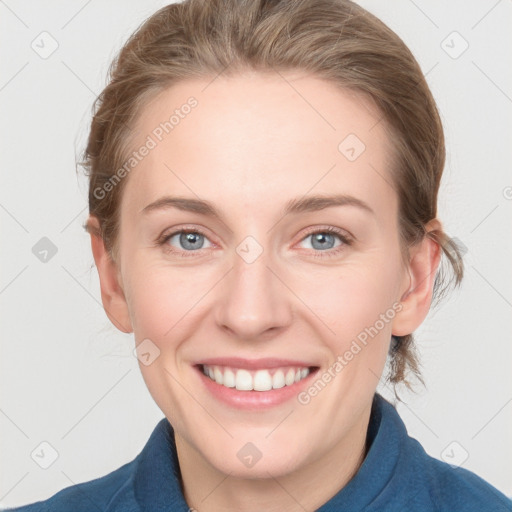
(259, 380)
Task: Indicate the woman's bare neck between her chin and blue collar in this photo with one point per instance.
(307, 488)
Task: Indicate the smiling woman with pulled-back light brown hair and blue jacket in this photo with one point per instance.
(263, 200)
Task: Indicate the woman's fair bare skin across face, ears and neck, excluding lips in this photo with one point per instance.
(253, 143)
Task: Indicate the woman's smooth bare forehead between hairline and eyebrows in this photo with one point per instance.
(259, 139)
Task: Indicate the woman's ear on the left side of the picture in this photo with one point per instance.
(112, 294)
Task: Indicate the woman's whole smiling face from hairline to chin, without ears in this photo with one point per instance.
(250, 279)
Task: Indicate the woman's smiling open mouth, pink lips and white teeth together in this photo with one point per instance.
(254, 384)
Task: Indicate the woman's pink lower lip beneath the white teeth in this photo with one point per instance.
(254, 400)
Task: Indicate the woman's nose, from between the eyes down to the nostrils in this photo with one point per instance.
(254, 303)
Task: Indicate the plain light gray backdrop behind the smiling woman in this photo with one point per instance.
(68, 378)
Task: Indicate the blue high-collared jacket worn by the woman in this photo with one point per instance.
(396, 475)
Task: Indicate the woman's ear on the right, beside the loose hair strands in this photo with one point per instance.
(417, 291)
